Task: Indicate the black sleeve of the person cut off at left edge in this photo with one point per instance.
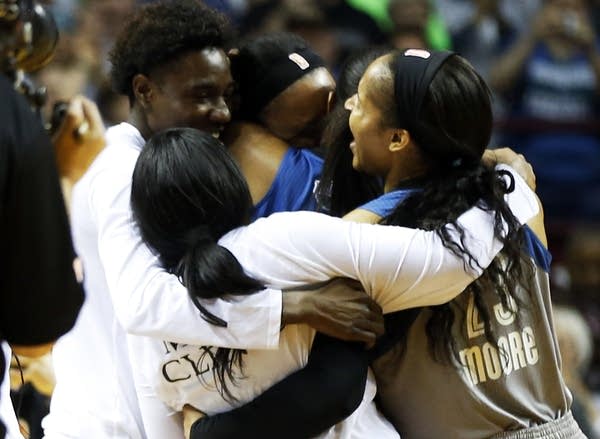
(39, 295)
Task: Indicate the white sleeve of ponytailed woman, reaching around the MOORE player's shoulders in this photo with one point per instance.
(399, 267)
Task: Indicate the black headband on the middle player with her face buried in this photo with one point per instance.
(282, 73)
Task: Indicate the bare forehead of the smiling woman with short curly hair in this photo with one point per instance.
(209, 66)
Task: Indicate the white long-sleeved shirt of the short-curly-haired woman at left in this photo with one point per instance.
(126, 290)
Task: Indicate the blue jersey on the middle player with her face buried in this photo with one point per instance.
(294, 185)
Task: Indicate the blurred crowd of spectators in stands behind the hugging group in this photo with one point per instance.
(541, 59)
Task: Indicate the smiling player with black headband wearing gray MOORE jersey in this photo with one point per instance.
(487, 363)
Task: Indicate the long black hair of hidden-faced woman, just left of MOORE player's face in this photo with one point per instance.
(341, 188)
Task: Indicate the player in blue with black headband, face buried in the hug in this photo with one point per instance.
(283, 92)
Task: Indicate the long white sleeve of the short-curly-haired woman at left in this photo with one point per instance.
(148, 301)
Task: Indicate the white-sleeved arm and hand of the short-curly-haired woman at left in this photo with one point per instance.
(141, 290)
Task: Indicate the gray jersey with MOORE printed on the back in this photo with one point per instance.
(488, 390)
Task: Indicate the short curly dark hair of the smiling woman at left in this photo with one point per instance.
(160, 32)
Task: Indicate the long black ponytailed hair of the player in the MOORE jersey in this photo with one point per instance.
(452, 129)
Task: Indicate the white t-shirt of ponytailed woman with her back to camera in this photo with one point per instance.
(400, 268)
